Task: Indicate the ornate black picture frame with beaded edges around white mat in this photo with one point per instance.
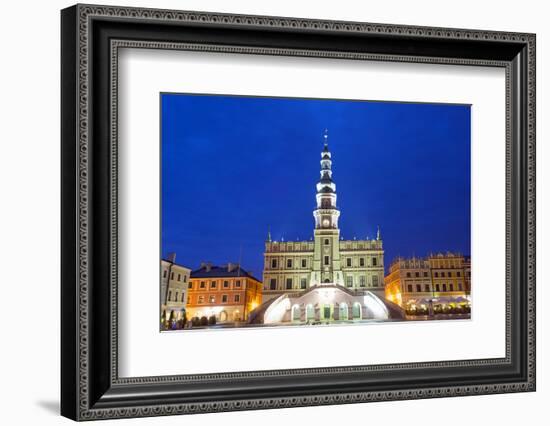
(90, 38)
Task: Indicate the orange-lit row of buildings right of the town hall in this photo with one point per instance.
(440, 278)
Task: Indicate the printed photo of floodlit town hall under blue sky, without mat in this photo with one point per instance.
(312, 212)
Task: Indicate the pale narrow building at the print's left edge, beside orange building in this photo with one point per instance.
(174, 280)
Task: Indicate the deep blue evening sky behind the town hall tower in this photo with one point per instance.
(232, 166)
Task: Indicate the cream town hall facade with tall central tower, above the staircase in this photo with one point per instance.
(357, 265)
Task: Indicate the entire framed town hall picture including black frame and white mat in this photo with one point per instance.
(265, 212)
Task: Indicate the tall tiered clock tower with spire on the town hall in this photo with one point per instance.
(326, 258)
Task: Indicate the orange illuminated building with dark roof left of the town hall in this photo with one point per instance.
(226, 292)
